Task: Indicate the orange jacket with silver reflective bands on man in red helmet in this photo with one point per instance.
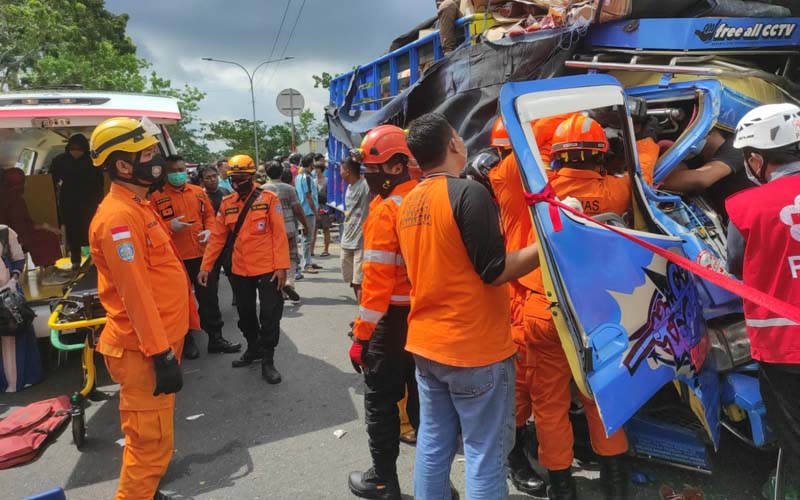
(385, 278)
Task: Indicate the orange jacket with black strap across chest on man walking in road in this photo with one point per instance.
(261, 246)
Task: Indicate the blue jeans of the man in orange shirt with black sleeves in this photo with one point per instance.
(478, 402)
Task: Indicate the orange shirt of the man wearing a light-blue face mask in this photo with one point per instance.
(193, 204)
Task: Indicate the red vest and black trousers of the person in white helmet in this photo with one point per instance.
(767, 222)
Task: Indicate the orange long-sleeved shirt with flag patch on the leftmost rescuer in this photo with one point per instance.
(141, 281)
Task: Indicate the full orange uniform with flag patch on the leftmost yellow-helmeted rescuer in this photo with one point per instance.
(145, 291)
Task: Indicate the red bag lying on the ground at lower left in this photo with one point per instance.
(26, 429)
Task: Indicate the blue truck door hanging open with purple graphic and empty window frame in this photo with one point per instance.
(628, 319)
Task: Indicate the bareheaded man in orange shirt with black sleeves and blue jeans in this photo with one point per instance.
(459, 328)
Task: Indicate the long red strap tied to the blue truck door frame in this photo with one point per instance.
(777, 306)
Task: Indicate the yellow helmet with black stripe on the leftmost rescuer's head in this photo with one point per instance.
(122, 134)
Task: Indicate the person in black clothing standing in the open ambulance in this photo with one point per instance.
(81, 190)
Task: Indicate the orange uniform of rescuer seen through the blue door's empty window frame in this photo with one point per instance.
(550, 373)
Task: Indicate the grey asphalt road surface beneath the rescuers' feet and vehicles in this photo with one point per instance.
(256, 441)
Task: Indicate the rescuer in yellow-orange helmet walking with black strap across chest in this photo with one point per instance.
(259, 256)
